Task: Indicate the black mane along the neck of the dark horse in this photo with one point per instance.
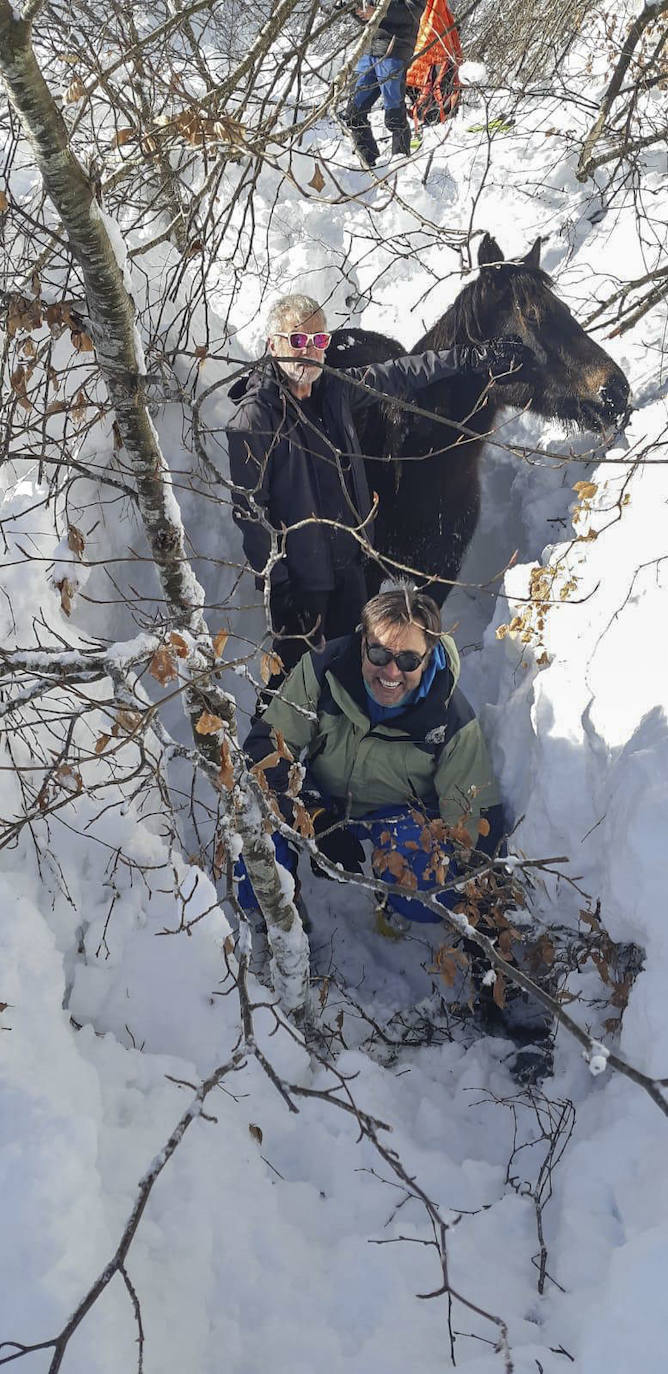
(475, 315)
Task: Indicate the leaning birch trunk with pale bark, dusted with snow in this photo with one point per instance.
(120, 358)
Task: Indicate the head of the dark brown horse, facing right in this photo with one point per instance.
(575, 380)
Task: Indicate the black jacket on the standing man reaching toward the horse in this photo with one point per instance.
(276, 457)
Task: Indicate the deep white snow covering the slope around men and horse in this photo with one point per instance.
(255, 1252)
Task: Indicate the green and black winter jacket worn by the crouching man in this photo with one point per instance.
(432, 754)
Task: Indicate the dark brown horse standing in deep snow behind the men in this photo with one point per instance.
(428, 510)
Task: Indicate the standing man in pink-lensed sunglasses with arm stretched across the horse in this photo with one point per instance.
(296, 466)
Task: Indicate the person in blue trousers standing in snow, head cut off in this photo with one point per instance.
(381, 72)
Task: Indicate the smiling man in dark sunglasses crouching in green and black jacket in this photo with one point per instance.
(390, 743)
